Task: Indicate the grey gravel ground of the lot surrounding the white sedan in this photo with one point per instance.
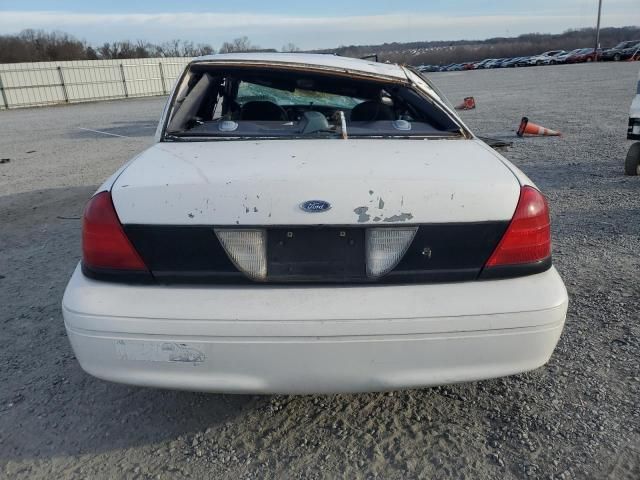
(577, 417)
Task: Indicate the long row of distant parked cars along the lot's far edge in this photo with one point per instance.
(629, 50)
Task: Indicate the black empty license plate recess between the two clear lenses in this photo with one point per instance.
(316, 254)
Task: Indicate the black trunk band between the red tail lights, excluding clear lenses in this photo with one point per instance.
(438, 253)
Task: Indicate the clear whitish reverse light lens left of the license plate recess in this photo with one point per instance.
(247, 249)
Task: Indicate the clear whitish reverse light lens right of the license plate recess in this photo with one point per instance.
(386, 247)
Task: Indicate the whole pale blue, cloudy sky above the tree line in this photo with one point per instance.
(309, 24)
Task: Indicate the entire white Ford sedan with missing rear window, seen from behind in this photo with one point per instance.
(313, 223)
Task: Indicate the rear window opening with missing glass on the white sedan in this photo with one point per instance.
(260, 103)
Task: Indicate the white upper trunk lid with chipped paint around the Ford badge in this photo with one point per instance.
(366, 181)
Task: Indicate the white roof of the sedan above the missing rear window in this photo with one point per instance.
(312, 59)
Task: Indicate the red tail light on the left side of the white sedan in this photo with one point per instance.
(104, 243)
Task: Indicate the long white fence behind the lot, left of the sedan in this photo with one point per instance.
(47, 83)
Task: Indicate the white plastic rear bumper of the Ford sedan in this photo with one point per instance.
(282, 339)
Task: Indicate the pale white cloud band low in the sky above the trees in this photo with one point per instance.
(271, 30)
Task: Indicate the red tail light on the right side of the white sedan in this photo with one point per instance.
(528, 237)
